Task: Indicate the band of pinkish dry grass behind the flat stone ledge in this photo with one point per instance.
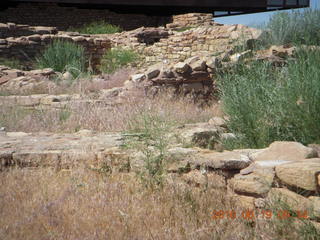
(98, 117)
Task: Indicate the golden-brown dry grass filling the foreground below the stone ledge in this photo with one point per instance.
(82, 204)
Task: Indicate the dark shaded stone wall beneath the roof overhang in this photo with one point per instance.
(40, 14)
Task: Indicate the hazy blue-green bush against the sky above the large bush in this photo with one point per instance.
(298, 27)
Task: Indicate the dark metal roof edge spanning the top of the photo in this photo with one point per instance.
(168, 7)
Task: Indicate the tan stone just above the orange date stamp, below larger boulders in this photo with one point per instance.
(280, 196)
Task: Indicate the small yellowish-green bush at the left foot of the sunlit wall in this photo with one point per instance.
(116, 58)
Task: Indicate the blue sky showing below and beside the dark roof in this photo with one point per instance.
(253, 19)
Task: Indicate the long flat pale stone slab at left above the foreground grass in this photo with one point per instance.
(49, 149)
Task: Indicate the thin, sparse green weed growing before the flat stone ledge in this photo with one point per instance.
(149, 135)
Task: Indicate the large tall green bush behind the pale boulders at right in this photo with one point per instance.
(266, 104)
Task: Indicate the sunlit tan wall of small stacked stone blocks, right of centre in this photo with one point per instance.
(214, 39)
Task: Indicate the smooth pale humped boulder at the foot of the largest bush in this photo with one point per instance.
(285, 151)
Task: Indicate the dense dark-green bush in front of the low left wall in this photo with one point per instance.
(63, 56)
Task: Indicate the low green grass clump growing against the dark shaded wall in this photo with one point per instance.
(99, 27)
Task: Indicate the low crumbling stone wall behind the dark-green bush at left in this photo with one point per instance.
(26, 48)
